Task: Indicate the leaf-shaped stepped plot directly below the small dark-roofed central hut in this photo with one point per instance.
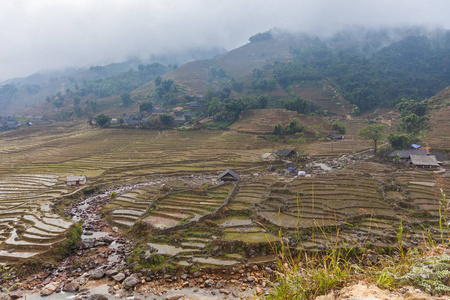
(185, 207)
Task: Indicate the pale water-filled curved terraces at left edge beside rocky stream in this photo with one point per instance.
(27, 227)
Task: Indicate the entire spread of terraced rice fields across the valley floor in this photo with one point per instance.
(34, 164)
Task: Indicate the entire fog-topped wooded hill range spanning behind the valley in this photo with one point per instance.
(350, 72)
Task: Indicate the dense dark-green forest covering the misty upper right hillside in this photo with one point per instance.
(416, 67)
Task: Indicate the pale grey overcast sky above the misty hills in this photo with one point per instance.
(51, 34)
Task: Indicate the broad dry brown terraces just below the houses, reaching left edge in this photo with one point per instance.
(106, 155)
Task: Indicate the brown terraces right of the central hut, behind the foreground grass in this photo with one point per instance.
(353, 200)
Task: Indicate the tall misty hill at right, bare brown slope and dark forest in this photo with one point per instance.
(367, 70)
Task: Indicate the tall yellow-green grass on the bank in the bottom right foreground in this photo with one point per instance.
(308, 275)
